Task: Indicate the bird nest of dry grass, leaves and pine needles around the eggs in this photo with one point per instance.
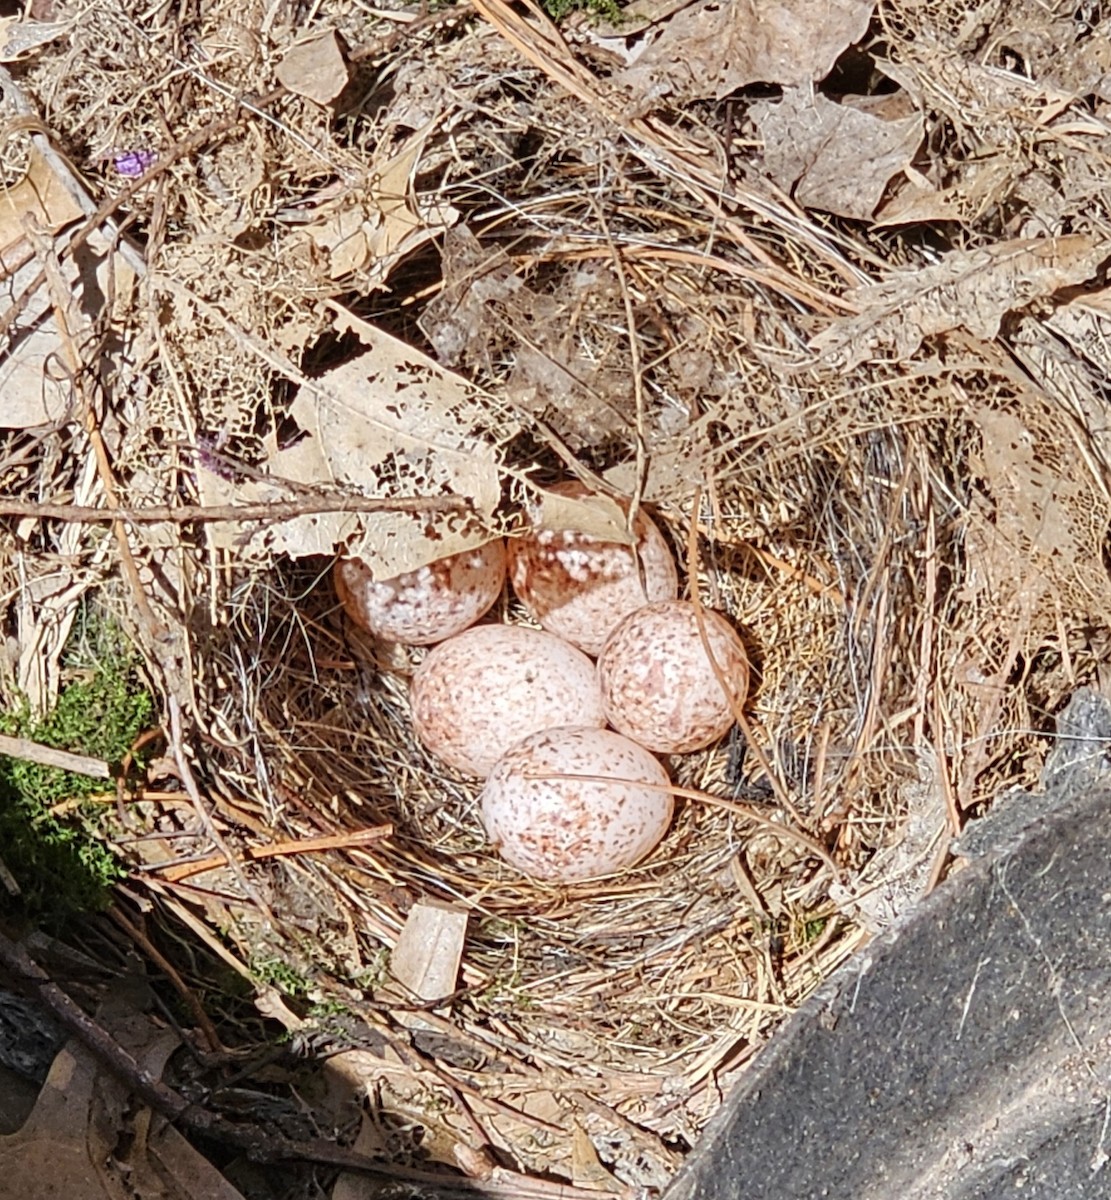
(875, 445)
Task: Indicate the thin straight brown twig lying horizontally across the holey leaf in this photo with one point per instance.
(272, 511)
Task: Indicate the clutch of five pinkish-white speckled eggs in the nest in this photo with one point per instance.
(564, 799)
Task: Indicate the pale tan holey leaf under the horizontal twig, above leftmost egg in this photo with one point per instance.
(388, 423)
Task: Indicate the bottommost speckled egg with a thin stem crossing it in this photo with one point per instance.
(567, 830)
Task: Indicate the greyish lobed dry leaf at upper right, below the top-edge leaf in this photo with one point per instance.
(832, 157)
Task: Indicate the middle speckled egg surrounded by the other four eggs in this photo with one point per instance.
(488, 688)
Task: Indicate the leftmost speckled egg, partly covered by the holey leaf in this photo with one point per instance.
(427, 605)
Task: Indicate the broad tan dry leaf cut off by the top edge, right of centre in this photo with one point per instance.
(716, 47)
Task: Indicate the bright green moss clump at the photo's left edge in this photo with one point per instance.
(61, 862)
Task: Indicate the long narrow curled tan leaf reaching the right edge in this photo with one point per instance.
(970, 290)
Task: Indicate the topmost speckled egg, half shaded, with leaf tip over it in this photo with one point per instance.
(580, 587)
